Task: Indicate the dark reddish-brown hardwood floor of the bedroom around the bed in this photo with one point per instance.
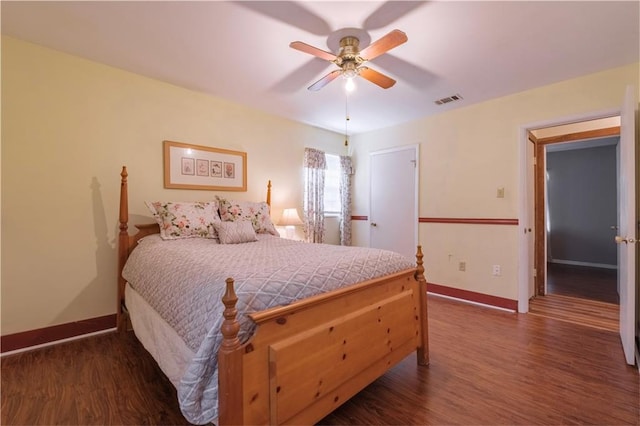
(488, 367)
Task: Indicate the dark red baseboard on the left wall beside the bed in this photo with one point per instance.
(42, 336)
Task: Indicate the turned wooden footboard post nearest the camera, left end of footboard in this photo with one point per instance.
(230, 394)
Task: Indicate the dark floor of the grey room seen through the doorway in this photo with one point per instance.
(583, 282)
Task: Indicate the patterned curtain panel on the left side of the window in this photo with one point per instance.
(314, 167)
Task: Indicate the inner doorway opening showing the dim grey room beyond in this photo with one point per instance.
(580, 218)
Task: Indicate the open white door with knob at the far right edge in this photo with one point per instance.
(627, 227)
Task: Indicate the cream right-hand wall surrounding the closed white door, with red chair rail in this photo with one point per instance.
(465, 155)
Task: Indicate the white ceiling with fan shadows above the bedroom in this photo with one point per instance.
(240, 50)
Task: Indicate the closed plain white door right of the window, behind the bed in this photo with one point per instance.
(393, 215)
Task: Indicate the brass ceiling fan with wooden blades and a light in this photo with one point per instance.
(350, 58)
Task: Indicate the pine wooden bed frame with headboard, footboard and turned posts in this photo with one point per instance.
(307, 358)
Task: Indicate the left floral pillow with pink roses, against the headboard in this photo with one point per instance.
(185, 219)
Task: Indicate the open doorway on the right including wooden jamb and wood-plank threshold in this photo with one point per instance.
(575, 255)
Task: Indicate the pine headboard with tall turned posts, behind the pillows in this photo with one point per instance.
(126, 242)
